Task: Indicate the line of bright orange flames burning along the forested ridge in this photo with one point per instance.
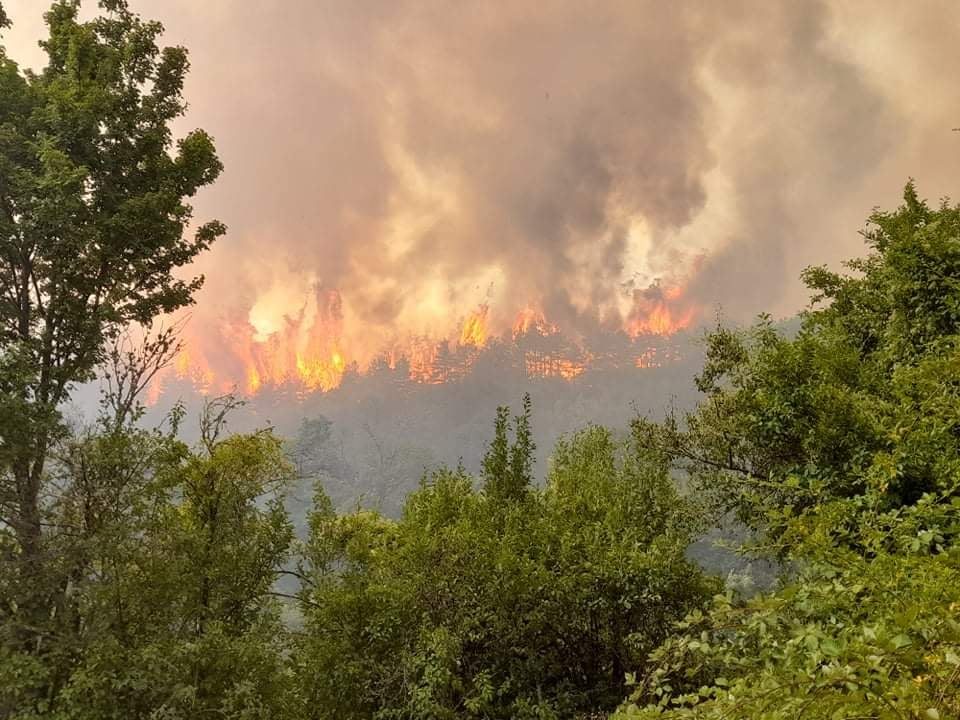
(309, 352)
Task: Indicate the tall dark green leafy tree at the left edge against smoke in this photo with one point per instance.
(93, 213)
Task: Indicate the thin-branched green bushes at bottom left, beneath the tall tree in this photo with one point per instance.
(168, 559)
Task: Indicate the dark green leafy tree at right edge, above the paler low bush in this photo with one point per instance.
(866, 388)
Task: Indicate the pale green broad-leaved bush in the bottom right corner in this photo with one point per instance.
(849, 636)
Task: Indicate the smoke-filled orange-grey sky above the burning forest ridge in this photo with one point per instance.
(425, 157)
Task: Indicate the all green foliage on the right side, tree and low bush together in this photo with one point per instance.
(841, 445)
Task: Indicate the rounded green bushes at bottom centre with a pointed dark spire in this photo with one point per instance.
(470, 606)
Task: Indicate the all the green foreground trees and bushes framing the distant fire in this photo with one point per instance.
(141, 577)
